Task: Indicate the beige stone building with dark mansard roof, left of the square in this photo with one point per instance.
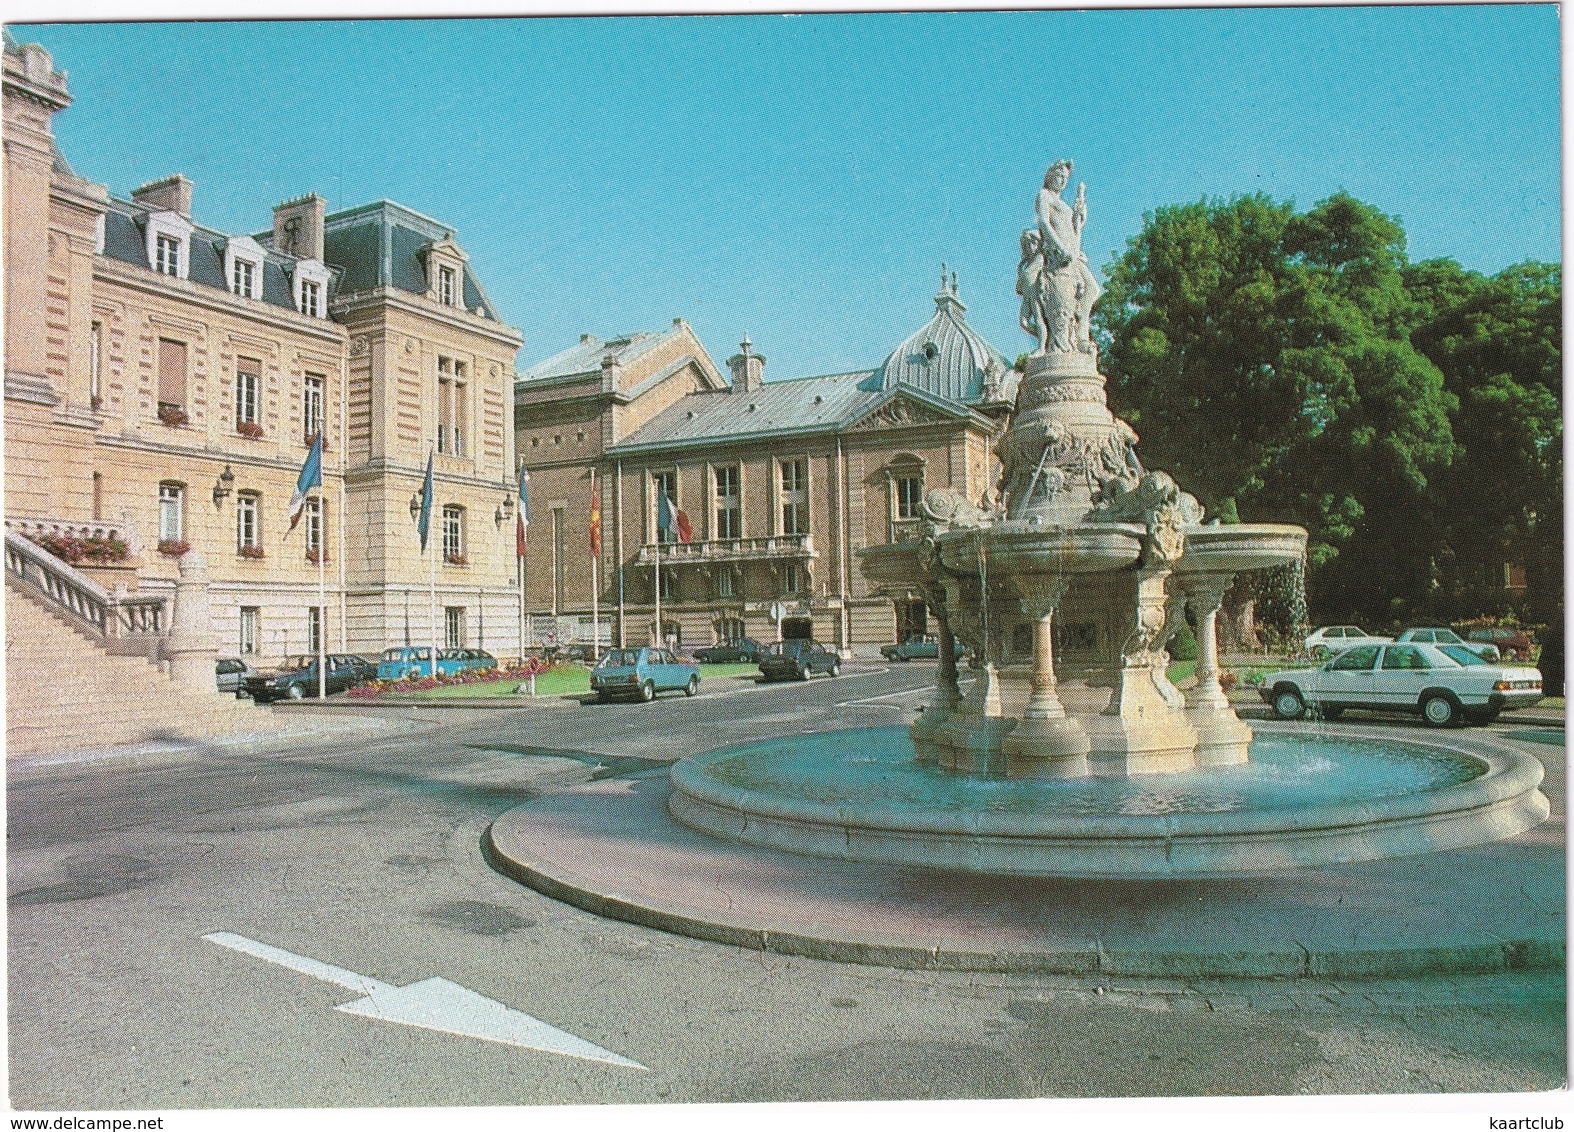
(164, 382)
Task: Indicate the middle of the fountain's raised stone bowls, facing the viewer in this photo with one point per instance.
(1018, 549)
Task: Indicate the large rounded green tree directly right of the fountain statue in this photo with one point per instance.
(1265, 358)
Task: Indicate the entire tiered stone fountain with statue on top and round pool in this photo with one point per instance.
(1073, 753)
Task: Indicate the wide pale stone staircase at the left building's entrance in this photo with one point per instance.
(65, 694)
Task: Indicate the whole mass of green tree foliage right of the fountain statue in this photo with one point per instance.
(1298, 368)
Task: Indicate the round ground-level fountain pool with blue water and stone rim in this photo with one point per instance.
(1304, 801)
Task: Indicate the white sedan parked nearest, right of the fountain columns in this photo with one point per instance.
(1446, 684)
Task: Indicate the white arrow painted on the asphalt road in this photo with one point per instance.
(432, 1005)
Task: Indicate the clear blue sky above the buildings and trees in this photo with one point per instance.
(804, 177)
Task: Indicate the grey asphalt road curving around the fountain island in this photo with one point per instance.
(368, 856)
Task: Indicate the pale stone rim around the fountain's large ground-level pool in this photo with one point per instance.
(1499, 799)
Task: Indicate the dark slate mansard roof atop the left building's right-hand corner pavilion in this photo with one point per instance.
(382, 245)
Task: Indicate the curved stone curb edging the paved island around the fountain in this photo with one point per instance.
(1293, 963)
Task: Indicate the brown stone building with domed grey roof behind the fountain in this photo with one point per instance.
(781, 484)
